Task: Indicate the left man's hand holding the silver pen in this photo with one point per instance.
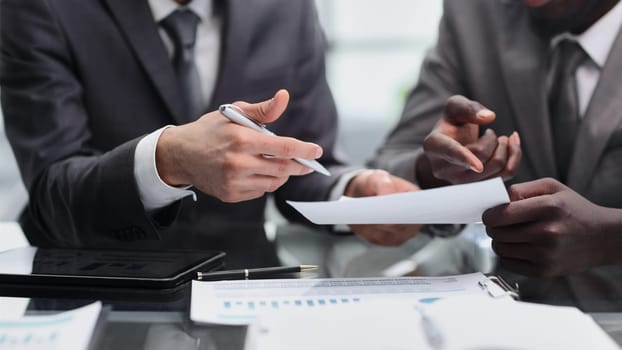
(231, 162)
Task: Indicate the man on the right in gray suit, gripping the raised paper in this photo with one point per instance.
(508, 55)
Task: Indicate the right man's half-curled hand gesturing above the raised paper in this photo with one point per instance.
(454, 153)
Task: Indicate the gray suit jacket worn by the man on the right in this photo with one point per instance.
(487, 51)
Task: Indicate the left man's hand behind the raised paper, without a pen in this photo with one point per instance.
(377, 183)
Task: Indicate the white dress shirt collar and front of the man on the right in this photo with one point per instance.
(597, 42)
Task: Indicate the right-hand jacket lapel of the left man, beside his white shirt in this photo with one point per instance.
(237, 31)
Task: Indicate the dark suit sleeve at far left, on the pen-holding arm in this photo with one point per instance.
(78, 195)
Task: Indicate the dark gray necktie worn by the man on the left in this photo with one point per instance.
(181, 26)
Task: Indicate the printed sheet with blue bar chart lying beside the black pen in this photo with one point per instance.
(239, 302)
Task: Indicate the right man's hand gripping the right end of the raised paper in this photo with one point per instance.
(550, 230)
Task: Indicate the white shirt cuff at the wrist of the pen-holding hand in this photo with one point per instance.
(154, 193)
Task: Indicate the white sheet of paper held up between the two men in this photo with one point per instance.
(459, 204)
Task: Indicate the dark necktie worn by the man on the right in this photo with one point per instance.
(564, 111)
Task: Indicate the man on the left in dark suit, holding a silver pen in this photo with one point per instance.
(88, 87)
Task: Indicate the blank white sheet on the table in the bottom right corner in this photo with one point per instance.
(467, 323)
